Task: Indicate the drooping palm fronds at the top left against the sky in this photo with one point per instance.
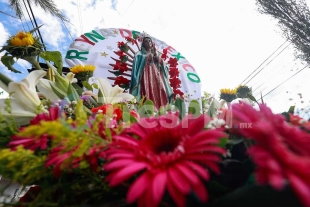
(46, 5)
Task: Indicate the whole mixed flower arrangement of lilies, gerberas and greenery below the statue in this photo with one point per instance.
(71, 146)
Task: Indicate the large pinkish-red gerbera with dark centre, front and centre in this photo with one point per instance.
(163, 153)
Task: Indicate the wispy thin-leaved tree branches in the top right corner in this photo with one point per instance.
(293, 18)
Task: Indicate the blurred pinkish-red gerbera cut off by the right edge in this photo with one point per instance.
(281, 151)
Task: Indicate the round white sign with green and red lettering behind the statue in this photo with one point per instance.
(112, 51)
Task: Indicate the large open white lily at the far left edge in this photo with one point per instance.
(25, 102)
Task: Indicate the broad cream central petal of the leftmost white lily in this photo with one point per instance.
(24, 96)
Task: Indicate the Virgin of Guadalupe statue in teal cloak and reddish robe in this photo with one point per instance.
(150, 75)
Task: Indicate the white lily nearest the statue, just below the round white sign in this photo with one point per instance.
(112, 94)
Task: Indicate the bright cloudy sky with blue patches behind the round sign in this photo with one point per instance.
(224, 40)
